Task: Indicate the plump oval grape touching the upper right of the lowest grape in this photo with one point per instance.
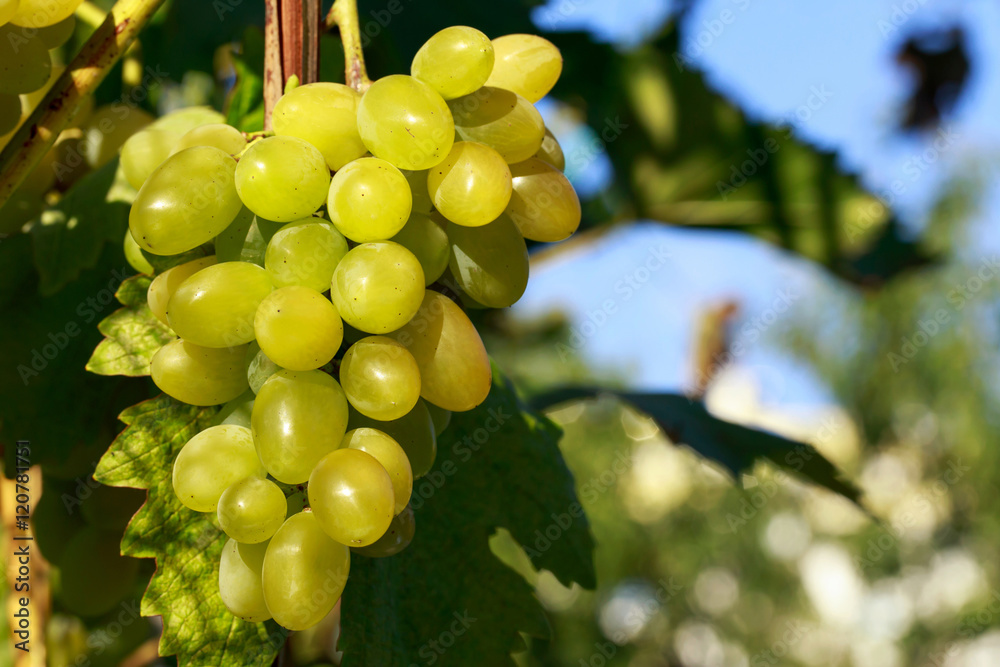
(351, 495)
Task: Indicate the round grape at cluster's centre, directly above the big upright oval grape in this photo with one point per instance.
(298, 328)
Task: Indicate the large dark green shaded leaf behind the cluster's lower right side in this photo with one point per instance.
(446, 599)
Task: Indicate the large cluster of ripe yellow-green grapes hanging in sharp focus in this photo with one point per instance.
(437, 179)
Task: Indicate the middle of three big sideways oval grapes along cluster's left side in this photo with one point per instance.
(215, 307)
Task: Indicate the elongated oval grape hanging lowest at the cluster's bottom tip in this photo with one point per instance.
(304, 572)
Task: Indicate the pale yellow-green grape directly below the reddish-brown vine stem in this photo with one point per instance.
(325, 115)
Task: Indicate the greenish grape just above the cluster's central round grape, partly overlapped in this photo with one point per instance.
(305, 253)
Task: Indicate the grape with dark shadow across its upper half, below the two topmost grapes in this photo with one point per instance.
(502, 120)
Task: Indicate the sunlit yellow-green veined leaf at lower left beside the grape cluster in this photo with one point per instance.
(186, 544)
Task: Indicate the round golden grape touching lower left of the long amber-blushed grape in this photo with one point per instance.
(380, 378)
